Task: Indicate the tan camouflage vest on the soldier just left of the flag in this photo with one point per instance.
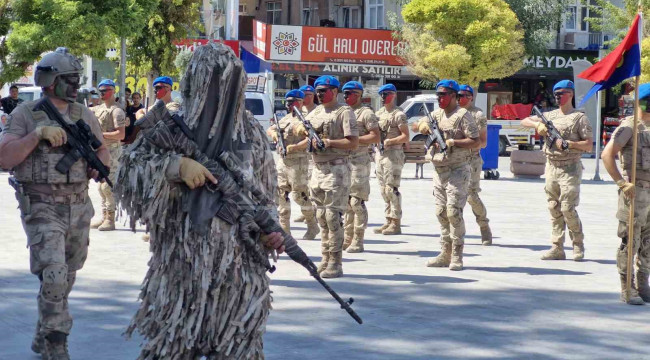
(566, 125)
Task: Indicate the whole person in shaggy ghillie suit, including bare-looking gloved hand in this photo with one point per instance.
(206, 293)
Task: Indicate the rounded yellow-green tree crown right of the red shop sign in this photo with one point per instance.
(466, 40)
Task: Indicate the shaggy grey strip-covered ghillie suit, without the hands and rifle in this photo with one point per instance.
(206, 292)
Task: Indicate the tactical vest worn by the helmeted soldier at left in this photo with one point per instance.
(39, 166)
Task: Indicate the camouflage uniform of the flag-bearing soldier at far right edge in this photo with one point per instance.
(623, 137)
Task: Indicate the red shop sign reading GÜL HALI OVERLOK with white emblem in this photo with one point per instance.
(325, 44)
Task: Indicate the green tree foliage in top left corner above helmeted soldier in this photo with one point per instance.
(84, 26)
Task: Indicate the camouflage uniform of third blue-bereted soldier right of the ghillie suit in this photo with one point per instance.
(356, 216)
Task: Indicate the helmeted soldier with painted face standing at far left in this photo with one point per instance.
(55, 207)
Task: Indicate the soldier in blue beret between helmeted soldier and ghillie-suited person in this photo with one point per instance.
(113, 121)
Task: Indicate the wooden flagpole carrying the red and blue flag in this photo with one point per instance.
(635, 132)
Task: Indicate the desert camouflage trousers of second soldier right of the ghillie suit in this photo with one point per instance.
(329, 188)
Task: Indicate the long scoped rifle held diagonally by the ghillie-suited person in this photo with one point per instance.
(234, 205)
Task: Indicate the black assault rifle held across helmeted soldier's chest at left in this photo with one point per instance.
(82, 143)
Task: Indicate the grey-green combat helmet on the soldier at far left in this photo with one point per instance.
(58, 62)
